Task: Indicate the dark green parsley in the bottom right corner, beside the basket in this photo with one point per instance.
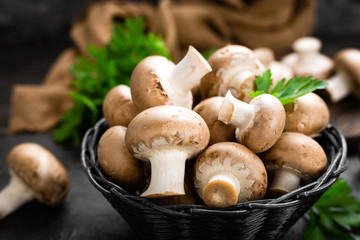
(334, 215)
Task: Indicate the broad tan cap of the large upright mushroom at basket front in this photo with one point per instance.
(166, 126)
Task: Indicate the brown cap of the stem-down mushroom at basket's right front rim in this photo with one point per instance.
(297, 153)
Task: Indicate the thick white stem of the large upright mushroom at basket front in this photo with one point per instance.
(167, 173)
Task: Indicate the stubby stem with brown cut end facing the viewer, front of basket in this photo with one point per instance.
(222, 190)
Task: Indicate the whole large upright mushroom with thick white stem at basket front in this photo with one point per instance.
(167, 136)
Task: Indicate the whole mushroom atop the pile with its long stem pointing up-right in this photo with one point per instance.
(158, 81)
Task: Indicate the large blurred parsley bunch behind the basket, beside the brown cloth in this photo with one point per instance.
(110, 65)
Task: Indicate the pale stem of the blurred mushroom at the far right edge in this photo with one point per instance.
(339, 86)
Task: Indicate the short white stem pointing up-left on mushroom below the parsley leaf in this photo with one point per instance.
(235, 112)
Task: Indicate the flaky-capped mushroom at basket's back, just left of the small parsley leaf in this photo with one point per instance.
(234, 68)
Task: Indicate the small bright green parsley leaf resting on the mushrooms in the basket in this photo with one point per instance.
(286, 90)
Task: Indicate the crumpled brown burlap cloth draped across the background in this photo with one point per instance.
(204, 24)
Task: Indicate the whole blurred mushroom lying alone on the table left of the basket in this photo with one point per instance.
(35, 173)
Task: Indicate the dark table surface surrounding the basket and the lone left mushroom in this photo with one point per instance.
(86, 214)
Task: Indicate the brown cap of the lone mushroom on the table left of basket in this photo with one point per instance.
(41, 171)
